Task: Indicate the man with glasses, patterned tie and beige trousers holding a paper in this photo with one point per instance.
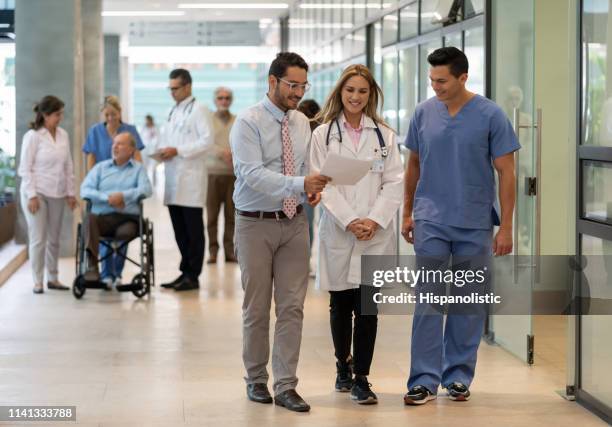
(270, 144)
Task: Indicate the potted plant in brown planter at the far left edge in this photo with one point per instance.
(8, 207)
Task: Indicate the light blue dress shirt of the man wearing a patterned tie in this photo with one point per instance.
(257, 151)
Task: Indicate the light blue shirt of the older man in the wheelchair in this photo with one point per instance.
(106, 178)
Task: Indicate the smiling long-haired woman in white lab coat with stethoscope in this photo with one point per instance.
(356, 219)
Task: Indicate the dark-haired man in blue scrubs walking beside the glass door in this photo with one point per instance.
(456, 140)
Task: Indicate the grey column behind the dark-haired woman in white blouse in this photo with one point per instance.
(49, 60)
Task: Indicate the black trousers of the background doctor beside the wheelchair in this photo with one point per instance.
(188, 224)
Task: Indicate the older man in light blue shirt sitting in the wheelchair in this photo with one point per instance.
(114, 188)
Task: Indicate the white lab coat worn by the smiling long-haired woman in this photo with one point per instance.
(376, 196)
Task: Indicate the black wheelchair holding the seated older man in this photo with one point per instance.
(142, 282)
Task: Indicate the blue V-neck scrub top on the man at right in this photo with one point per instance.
(456, 186)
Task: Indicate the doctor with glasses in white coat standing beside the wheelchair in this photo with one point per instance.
(185, 141)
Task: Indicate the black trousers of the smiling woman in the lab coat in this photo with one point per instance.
(342, 305)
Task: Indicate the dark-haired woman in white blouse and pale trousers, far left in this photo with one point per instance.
(47, 182)
